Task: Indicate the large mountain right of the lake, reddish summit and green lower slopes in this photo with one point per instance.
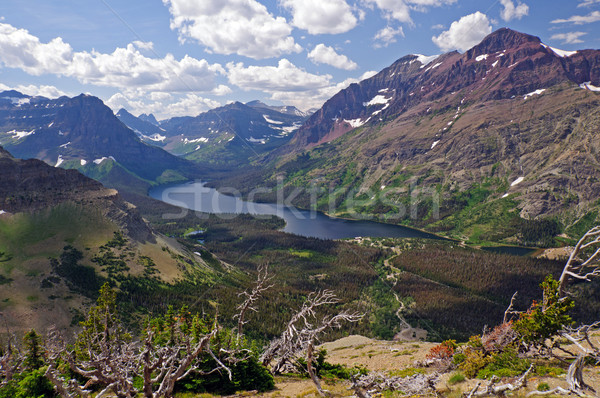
(506, 131)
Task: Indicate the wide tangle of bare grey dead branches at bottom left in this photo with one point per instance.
(115, 364)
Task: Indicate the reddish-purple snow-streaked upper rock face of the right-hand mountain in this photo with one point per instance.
(505, 64)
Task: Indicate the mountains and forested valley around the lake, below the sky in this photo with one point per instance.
(496, 146)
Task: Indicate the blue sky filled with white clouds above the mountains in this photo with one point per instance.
(184, 57)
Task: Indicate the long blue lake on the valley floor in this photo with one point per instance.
(196, 196)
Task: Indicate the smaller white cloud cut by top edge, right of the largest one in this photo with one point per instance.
(318, 16)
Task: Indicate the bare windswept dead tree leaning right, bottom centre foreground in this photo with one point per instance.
(301, 335)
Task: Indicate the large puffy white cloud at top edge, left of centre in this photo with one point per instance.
(243, 27)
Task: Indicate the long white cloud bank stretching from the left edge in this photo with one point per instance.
(123, 68)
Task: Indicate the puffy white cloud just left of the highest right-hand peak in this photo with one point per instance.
(464, 33)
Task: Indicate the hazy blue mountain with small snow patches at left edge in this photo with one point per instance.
(83, 133)
